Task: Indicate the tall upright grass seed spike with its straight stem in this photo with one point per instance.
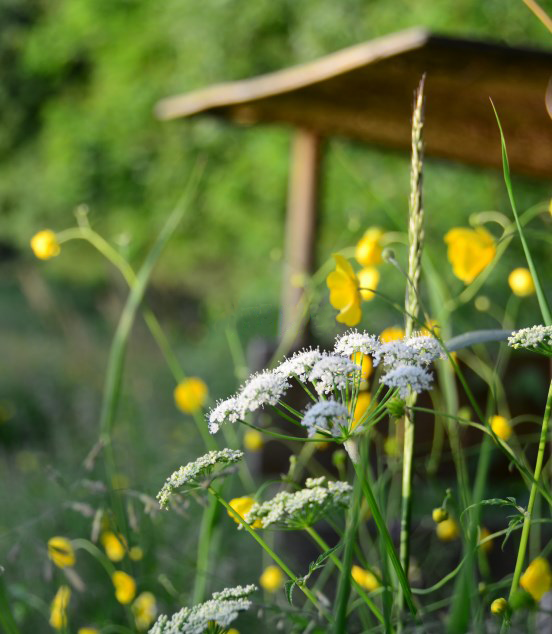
(412, 307)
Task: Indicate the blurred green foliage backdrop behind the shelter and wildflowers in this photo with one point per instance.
(79, 83)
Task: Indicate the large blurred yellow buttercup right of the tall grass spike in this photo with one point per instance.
(469, 251)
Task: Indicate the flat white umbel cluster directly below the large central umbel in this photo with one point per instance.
(302, 508)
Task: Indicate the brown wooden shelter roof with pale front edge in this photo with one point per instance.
(365, 92)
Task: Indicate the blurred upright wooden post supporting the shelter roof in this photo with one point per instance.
(300, 233)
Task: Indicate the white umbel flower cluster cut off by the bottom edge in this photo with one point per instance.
(223, 608)
